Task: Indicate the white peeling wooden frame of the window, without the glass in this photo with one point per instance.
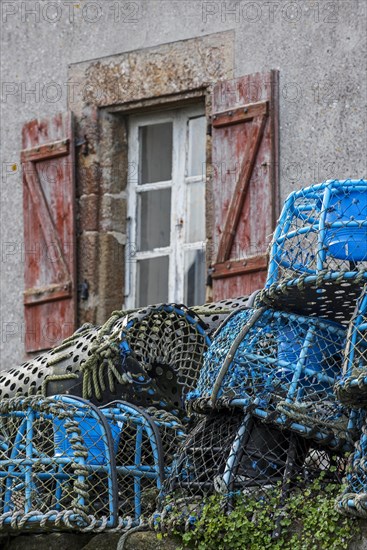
(178, 185)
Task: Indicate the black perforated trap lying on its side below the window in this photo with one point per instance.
(150, 357)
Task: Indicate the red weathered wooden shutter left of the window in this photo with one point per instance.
(49, 231)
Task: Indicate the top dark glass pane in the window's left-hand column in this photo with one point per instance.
(155, 153)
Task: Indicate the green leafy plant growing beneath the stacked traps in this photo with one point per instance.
(305, 520)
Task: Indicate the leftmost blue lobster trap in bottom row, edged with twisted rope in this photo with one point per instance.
(48, 477)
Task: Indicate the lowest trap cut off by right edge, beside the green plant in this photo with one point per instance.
(353, 500)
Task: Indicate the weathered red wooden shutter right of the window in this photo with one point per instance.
(244, 181)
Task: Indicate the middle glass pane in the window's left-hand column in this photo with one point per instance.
(154, 218)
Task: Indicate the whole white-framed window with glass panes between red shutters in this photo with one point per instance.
(166, 208)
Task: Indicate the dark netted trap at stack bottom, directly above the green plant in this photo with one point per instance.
(231, 452)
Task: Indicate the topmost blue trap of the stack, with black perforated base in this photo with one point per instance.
(318, 259)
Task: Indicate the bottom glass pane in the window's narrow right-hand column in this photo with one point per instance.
(194, 277)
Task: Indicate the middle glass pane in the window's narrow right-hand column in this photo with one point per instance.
(195, 226)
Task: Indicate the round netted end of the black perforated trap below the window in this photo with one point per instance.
(168, 342)
